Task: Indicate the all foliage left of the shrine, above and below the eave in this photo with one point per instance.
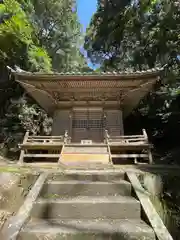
(38, 36)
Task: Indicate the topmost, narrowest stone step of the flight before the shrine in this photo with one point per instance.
(88, 175)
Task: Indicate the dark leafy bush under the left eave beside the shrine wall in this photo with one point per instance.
(21, 115)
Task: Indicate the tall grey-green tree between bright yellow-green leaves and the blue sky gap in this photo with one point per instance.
(58, 31)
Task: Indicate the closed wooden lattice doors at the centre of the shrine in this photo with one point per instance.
(88, 124)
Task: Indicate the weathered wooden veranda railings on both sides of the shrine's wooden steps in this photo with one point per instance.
(134, 147)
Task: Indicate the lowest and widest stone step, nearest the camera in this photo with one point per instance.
(87, 229)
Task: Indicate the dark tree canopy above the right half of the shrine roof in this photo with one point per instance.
(140, 35)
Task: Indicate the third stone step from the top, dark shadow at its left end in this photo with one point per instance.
(112, 207)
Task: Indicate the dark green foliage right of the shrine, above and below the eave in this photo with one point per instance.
(138, 35)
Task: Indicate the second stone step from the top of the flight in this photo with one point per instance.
(85, 188)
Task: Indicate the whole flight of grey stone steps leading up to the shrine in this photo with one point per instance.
(92, 204)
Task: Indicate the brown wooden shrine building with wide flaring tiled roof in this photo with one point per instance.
(89, 107)
